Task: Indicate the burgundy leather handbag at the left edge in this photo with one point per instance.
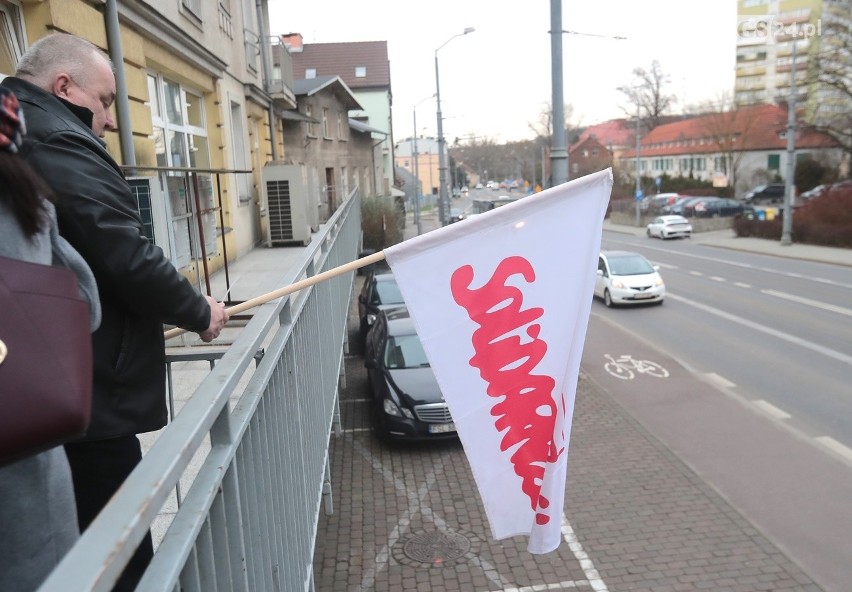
(45, 359)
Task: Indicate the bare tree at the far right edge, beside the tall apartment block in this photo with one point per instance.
(832, 74)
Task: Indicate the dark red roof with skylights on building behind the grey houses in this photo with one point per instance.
(341, 59)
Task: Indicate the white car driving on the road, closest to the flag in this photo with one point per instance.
(625, 277)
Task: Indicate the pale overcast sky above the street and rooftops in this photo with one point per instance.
(496, 81)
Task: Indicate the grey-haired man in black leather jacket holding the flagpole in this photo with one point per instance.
(66, 87)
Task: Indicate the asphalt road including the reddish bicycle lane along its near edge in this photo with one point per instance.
(759, 356)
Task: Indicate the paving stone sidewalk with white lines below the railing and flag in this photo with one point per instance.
(408, 517)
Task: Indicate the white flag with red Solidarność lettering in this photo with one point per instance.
(501, 302)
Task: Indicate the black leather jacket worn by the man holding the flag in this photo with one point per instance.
(139, 287)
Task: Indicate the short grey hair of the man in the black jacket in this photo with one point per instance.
(57, 53)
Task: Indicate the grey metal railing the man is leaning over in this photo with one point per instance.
(248, 520)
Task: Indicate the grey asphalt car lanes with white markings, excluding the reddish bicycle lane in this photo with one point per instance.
(777, 330)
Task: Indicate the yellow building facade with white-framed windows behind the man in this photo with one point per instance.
(192, 109)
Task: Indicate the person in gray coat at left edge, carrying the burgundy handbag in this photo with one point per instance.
(38, 518)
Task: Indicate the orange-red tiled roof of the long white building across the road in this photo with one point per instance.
(759, 127)
